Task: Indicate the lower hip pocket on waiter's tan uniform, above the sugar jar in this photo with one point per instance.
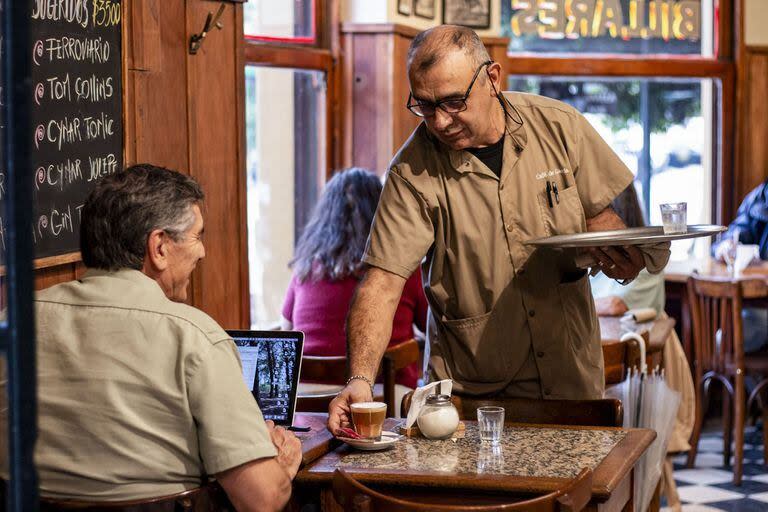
(475, 352)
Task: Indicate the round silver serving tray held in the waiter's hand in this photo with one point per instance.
(629, 236)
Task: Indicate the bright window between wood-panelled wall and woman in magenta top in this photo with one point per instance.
(288, 84)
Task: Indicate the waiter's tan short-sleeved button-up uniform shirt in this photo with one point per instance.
(500, 311)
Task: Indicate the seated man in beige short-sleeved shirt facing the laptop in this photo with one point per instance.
(140, 395)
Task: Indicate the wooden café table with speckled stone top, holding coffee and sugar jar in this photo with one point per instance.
(531, 460)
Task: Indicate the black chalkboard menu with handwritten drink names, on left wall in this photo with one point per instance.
(77, 118)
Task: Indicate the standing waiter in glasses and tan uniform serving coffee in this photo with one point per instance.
(482, 174)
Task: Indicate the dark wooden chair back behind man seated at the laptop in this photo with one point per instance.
(208, 498)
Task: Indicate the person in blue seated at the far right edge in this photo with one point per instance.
(750, 227)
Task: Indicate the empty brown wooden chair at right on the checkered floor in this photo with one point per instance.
(718, 355)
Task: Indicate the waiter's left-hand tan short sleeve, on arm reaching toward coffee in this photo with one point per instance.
(402, 230)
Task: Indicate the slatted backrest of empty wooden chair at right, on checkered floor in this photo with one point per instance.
(715, 306)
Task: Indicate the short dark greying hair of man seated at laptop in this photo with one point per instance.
(126, 207)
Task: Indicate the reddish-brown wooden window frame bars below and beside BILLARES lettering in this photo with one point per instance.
(721, 67)
